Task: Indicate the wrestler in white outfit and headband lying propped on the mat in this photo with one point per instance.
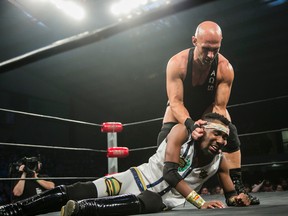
(172, 175)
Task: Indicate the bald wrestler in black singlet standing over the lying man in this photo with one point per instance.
(199, 80)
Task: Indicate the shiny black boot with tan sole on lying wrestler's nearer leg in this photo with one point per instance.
(116, 205)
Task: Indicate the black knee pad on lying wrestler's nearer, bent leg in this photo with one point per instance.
(152, 202)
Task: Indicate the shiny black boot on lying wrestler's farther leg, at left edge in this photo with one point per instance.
(48, 201)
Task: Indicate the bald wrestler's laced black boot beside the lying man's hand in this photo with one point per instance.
(236, 177)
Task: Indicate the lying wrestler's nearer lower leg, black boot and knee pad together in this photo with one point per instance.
(126, 204)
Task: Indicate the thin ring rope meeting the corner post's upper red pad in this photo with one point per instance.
(126, 124)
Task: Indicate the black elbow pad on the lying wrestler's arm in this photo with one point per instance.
(170, 173)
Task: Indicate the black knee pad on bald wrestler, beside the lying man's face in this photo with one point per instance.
(233, 141)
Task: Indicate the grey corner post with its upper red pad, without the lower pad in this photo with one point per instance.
(112, 128)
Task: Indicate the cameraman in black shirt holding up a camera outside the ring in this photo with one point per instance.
(29, 168)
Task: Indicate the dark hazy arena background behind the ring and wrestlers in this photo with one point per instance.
(122, 79)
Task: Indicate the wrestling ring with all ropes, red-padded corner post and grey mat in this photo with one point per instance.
(271, 202)
